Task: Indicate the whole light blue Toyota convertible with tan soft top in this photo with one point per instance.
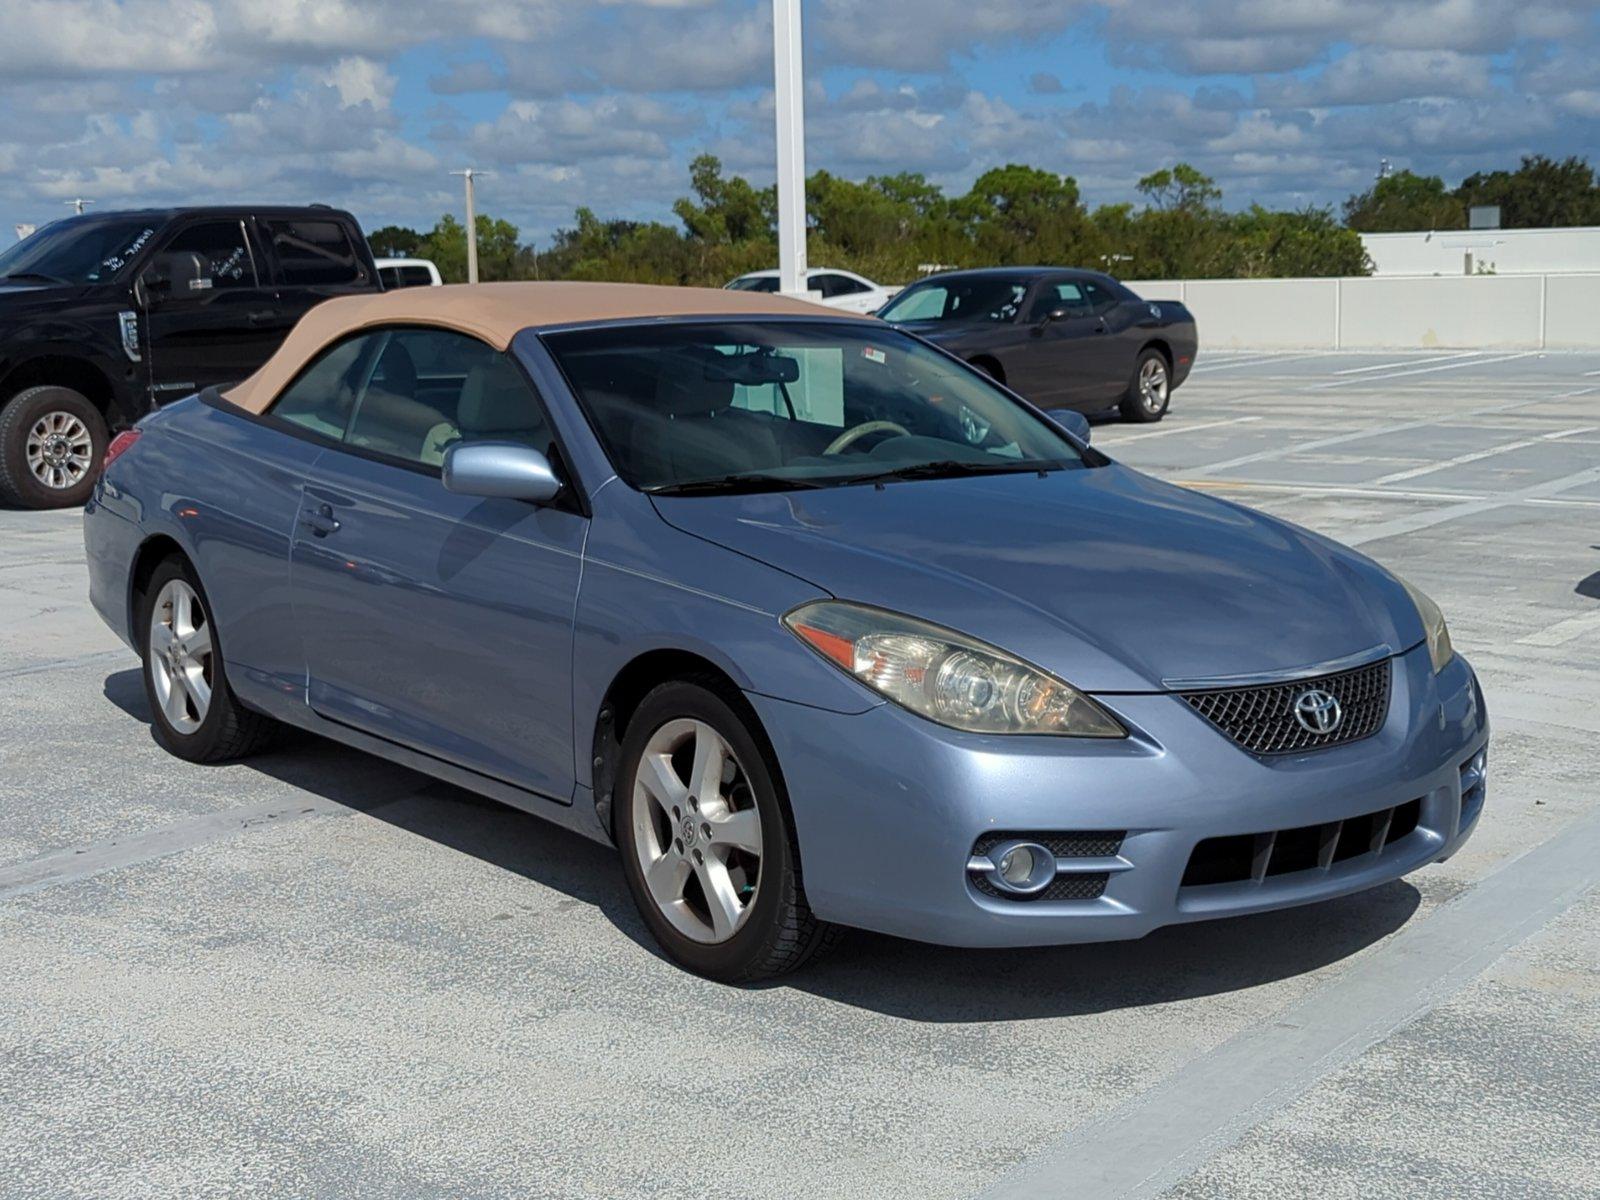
(818, 625)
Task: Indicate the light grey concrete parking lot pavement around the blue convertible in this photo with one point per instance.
(321, 975)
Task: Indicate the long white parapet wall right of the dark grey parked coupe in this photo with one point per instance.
(1479, 313)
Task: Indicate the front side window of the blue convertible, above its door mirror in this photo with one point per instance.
(430, 390)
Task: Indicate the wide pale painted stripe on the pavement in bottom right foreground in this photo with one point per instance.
(1145, 1146)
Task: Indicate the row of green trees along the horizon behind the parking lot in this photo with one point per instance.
(897, 228)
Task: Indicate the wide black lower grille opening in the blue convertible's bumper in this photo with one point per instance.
(1252, 858)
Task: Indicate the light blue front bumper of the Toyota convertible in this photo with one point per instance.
(889, 810)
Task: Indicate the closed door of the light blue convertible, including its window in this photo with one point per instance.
(433, 620)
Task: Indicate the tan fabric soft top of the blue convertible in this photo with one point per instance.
(497, 313)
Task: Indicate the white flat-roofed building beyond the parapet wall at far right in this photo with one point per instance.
(1503, 252)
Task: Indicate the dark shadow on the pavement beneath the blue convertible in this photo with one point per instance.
(887, 975)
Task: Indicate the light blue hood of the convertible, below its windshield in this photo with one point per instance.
(1110, 578)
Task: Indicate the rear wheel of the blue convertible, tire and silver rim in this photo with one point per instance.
(193, 711)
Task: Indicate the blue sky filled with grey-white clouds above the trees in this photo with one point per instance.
(370, 103)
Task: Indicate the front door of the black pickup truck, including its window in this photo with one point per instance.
(210, 316)
